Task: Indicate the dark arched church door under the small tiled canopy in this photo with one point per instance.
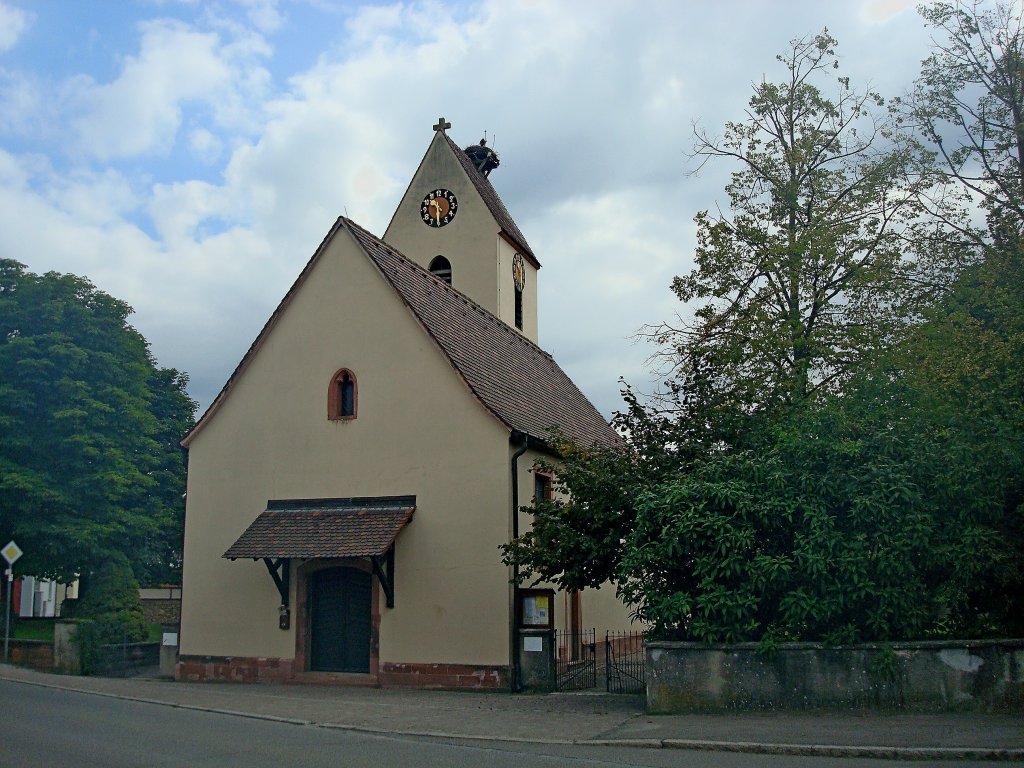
(340, 621)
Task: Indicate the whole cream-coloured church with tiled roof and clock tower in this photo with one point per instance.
(351, 486)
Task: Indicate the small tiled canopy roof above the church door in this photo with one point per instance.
(325, 528)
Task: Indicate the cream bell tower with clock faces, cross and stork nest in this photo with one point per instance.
(452, 222)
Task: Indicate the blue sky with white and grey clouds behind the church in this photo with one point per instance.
(189, 157)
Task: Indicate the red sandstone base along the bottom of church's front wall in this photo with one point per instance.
(250, 670)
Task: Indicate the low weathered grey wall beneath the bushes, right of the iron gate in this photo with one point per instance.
(921, 676)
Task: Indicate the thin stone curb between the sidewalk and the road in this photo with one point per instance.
(830, 751)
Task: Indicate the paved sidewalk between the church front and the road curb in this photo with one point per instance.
(579, 718)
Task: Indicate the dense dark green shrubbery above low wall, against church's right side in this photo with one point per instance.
(822, 526)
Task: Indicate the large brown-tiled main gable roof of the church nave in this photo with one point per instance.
(516, 380)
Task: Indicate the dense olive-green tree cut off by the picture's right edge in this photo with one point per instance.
(964, 364)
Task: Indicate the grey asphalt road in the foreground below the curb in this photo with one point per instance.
(61, 729)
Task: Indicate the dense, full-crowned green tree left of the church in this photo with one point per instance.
(90, 462)
